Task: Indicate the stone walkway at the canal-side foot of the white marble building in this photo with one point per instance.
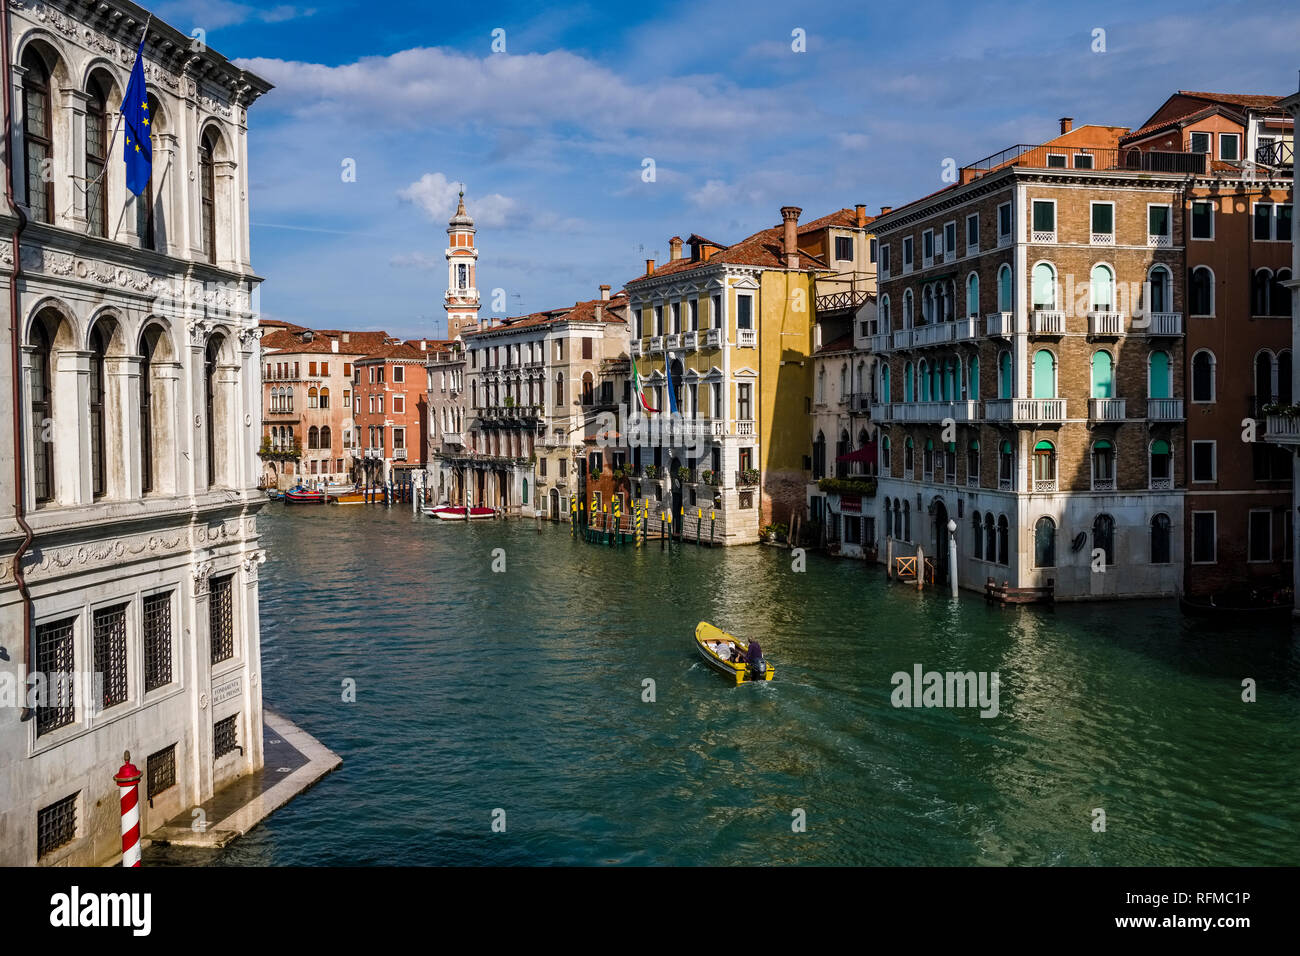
(294, 762)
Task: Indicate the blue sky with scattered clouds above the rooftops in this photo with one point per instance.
(588, 135)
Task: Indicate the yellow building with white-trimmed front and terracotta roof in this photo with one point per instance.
(734, 328)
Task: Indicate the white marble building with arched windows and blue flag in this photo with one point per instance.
(128, 539)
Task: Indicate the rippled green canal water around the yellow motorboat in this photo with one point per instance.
(523, 691)
